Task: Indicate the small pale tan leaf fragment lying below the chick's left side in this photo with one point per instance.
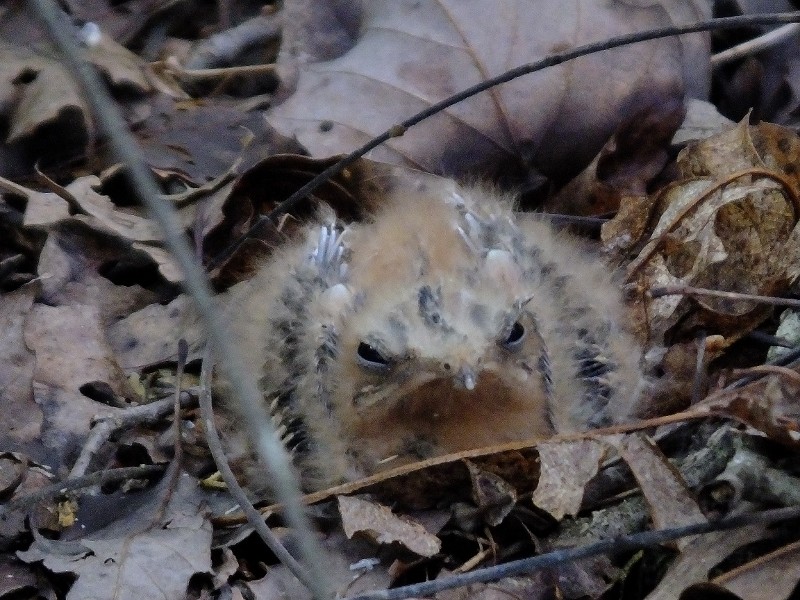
(382, 526)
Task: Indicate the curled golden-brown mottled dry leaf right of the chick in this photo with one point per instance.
(729, 223)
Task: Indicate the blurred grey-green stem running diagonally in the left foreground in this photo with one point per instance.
(243, 383)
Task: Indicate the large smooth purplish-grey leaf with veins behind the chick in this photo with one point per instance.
(411, 54)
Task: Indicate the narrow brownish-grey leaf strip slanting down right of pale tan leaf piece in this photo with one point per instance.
(670, 502)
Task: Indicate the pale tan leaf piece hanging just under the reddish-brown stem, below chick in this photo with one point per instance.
(566, 469)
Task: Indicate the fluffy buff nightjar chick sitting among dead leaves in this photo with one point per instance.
(443, 323)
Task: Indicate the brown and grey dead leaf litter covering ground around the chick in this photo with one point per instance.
(90, 301)
